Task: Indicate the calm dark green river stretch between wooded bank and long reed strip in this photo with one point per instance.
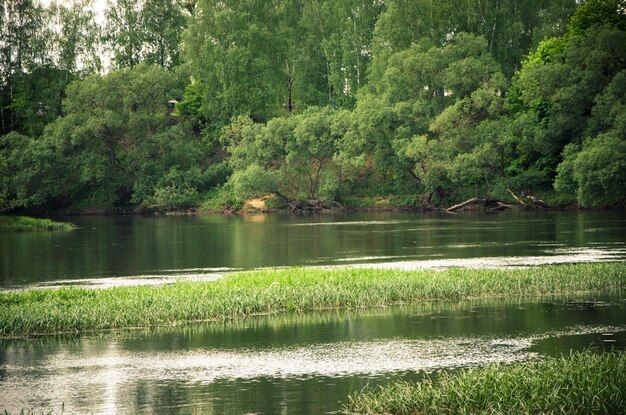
(149, 249)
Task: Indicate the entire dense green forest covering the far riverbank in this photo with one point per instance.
(164, 105)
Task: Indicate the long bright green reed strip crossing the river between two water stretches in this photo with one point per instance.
(273, 291)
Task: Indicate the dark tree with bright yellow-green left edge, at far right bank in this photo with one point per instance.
(559, 93)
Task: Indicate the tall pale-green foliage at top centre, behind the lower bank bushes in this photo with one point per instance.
(272, 56)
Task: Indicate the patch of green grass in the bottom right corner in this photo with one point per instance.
(581, 383)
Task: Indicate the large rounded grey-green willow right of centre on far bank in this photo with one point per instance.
(427, 93)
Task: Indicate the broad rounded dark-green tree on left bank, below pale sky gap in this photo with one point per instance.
(108, 121)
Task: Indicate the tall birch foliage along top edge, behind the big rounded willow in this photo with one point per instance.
(509, 27)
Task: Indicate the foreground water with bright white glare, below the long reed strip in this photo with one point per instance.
(298, 364)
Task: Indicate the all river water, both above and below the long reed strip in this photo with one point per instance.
(297, 364)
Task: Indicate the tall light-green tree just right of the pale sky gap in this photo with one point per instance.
(232, 50)
